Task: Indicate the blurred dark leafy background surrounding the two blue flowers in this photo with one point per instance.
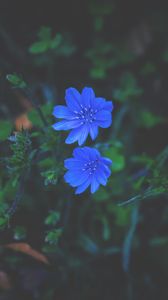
(114, 244)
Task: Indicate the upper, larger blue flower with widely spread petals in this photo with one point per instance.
(83, 114)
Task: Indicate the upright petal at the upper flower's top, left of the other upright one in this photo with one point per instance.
(73, 99)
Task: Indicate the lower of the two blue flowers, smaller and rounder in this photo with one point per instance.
(87, 167)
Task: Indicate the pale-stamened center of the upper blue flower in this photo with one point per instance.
(86, 115)
